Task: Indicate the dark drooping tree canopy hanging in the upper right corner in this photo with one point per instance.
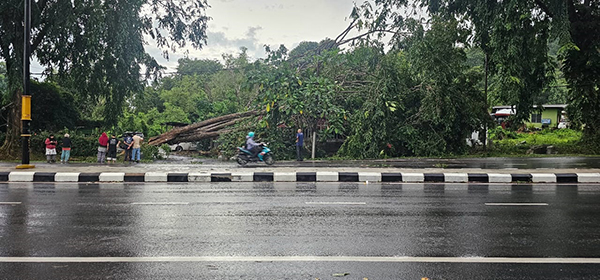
(514, 36)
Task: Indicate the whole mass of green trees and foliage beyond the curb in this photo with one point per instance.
(419, 92)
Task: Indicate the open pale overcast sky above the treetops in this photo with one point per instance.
(255, 23)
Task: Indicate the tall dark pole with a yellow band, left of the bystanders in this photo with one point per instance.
(26, 96)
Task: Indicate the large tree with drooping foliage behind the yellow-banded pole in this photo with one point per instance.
(96, 46)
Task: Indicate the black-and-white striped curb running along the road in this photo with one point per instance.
(558, 178)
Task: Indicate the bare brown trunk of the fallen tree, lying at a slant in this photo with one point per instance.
(206, 129)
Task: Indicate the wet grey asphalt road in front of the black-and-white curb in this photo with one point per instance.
(275, 221)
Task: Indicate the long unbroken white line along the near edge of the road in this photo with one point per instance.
(398, 259)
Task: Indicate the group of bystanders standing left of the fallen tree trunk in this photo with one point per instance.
(107, 148)
